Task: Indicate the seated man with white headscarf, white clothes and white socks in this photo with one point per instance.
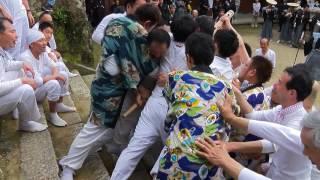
(51, 83)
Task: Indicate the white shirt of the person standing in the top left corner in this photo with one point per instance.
(14, 7)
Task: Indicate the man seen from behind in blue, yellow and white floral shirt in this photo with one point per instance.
(193, 113)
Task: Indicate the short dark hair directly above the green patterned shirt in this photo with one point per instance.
(148, 12)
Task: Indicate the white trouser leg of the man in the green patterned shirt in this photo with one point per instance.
(90, 138)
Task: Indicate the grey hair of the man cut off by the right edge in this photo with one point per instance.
(312, 121)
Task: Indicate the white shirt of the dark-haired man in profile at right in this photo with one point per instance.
(286, 165)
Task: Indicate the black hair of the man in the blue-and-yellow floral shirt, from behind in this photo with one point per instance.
(199, 46)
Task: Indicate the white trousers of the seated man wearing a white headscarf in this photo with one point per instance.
(50, 89)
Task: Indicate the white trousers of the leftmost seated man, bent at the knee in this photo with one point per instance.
(24, 99)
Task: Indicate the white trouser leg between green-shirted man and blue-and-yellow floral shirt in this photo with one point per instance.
(149, 129)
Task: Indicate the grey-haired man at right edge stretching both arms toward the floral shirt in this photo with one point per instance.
(304, 143)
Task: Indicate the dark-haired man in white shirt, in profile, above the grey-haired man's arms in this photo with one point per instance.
(294, 85)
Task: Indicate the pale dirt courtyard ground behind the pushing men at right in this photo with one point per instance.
(285, 55)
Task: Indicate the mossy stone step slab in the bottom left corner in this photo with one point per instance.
(26, 155)
